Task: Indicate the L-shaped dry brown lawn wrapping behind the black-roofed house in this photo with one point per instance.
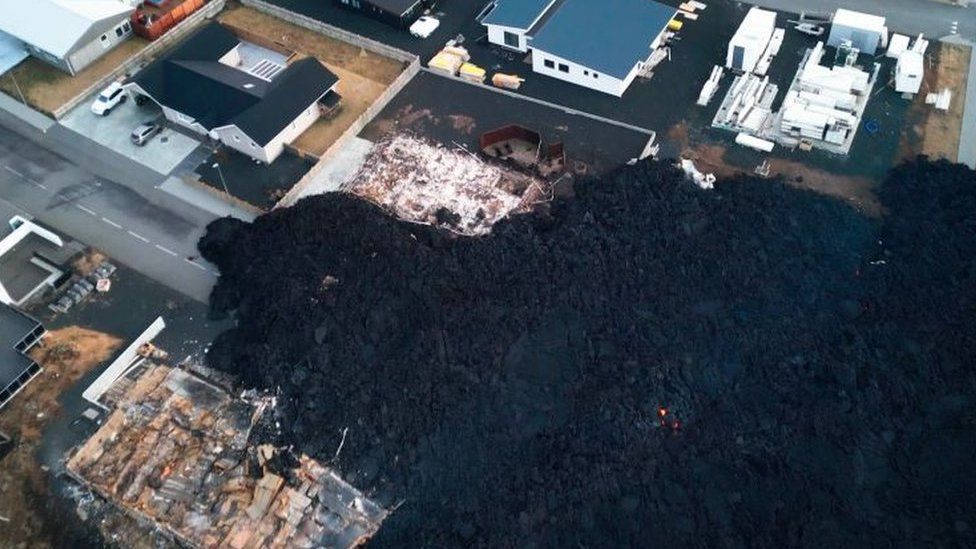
(363, 75)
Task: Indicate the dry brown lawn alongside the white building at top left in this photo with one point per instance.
(47, 88)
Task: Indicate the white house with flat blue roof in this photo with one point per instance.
(600, 45)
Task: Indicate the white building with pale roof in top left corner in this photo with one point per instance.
(69, 34)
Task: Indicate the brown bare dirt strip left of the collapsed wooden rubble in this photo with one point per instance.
(66, 355)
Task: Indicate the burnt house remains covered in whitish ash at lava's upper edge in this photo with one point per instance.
(427, 183)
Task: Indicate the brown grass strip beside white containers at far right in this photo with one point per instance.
(930, 131)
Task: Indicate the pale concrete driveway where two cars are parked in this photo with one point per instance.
(162, 154)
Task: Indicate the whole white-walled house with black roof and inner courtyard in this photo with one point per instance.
(234, 92)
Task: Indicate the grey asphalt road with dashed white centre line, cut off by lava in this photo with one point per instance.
(135, 223)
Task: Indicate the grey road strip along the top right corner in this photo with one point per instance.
(931, 17)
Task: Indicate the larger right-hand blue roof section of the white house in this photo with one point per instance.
(609, 36)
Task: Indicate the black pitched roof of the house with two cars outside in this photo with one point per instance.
(191, 80)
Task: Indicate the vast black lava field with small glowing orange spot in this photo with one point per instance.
(642, 364)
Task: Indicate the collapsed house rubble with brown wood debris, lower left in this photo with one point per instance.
(175, 454)
